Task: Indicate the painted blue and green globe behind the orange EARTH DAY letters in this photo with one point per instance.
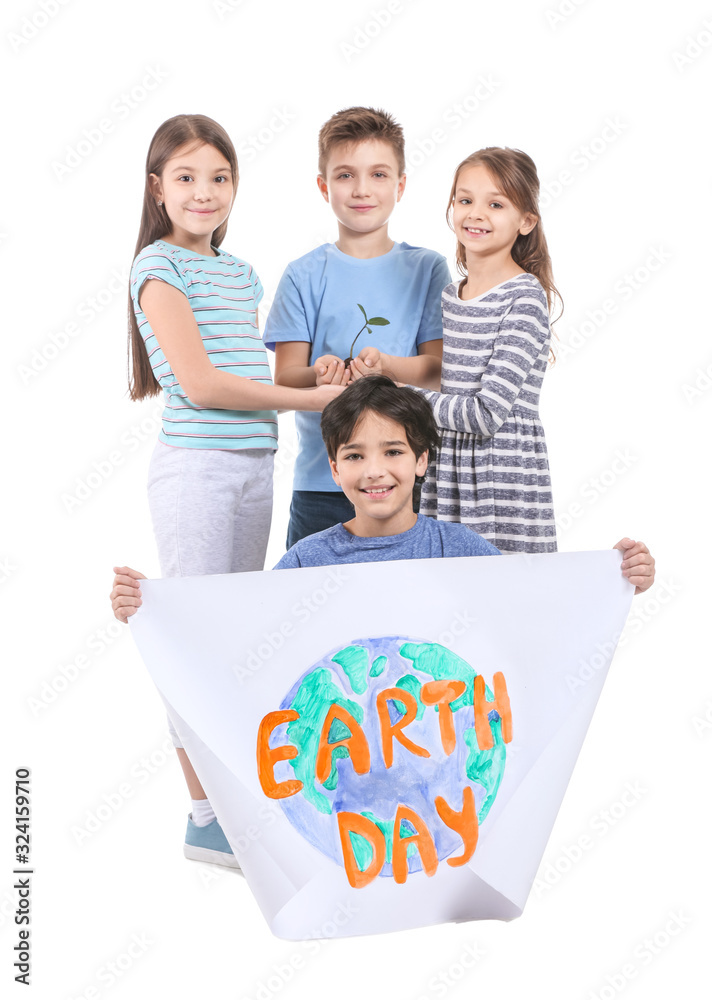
(352, 676)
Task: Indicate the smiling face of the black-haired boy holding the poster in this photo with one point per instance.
(376, 469)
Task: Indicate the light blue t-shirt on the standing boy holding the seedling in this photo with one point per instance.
(317, 302)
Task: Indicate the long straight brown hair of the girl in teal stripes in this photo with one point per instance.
(155, 224)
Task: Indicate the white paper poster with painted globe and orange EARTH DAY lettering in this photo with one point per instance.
(386, 742)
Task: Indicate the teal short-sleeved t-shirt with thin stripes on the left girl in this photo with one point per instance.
(223, 293)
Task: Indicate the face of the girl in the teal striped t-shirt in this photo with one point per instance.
(197, 191)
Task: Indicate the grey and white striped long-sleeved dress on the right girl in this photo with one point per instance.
(492, 470)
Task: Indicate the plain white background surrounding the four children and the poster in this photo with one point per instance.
(624, 424)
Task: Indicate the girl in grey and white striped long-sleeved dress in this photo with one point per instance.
(492, 471)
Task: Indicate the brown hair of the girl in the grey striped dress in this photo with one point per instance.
(516, 174)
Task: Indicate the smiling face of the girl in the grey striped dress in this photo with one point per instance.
(485, 221)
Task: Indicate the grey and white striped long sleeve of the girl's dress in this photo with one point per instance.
(522, 339)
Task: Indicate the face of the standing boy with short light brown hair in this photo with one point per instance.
(362, 184)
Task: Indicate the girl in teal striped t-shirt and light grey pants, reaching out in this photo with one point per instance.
(194, 336)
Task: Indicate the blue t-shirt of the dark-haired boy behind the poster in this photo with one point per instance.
(427, 539)
